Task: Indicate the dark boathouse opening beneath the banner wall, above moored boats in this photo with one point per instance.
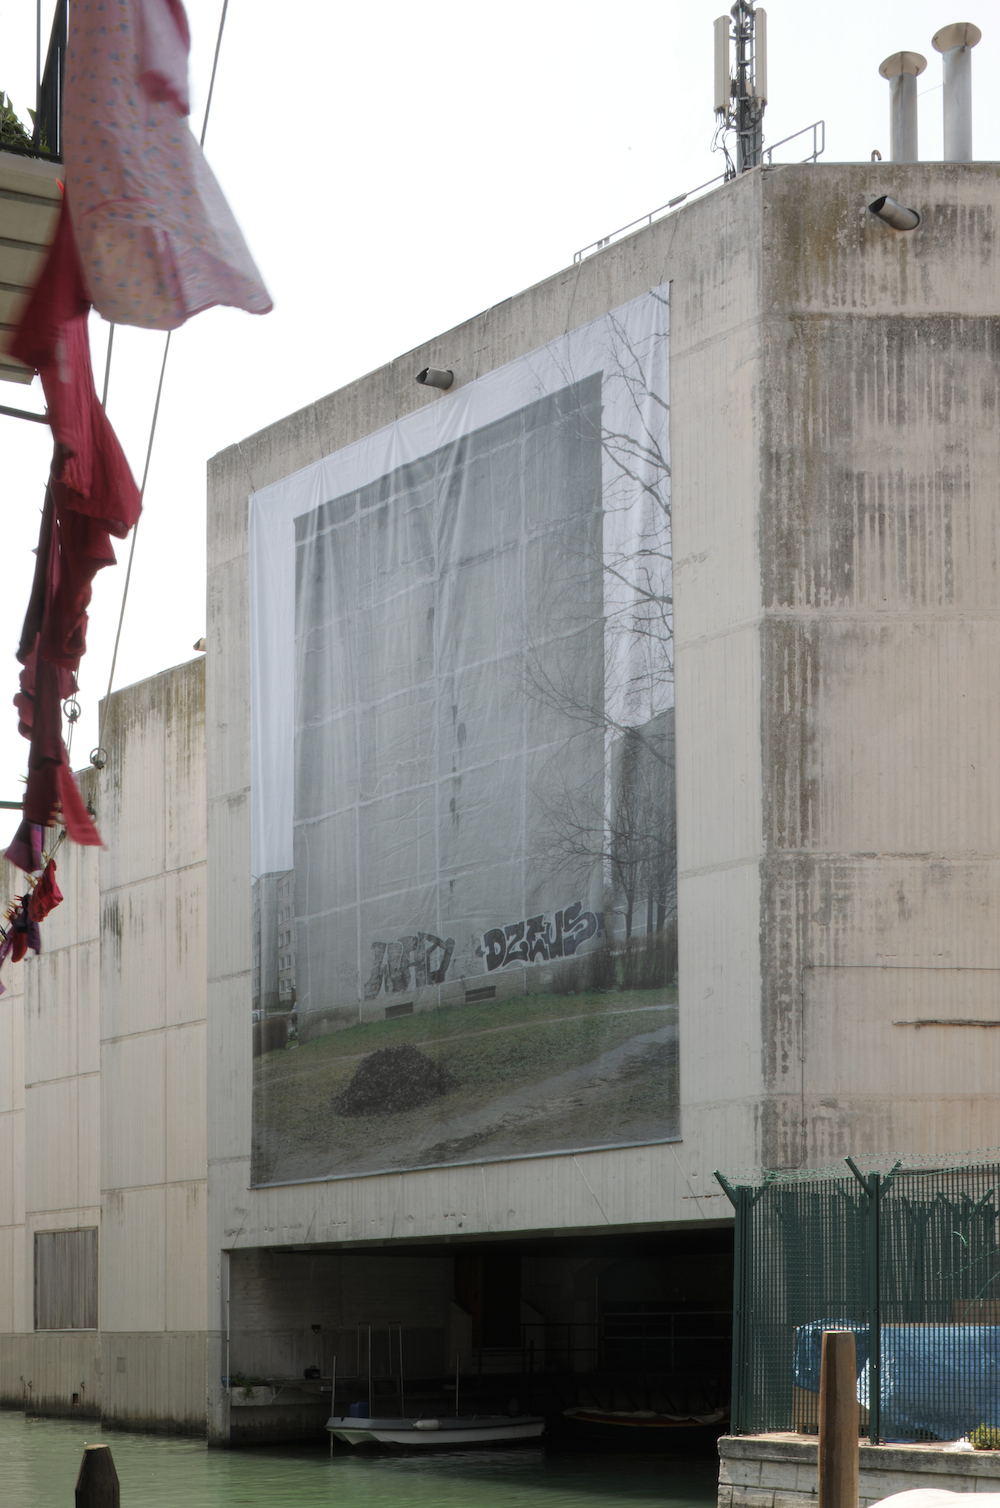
(609, 1325)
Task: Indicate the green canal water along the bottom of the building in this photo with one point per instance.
(40, 1460)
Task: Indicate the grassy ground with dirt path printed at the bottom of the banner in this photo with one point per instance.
(527, 1074)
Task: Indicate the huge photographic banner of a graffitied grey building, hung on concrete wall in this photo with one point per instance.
(465, 924)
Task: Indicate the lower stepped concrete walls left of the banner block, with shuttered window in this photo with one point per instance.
(103, 1091)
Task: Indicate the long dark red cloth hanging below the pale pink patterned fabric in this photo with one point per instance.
(91, 497)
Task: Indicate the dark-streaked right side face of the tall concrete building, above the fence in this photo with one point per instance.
(880, 456)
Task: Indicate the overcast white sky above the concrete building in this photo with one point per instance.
(396, 170)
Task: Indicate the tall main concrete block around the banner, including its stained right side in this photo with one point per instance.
(835, 461)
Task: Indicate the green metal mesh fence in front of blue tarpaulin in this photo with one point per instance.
(909, 1260)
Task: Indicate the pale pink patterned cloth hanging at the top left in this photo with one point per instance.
(158, 239)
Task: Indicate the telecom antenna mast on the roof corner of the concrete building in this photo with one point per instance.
(741, 91)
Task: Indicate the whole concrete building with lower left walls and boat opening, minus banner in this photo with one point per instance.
(835, 461)
